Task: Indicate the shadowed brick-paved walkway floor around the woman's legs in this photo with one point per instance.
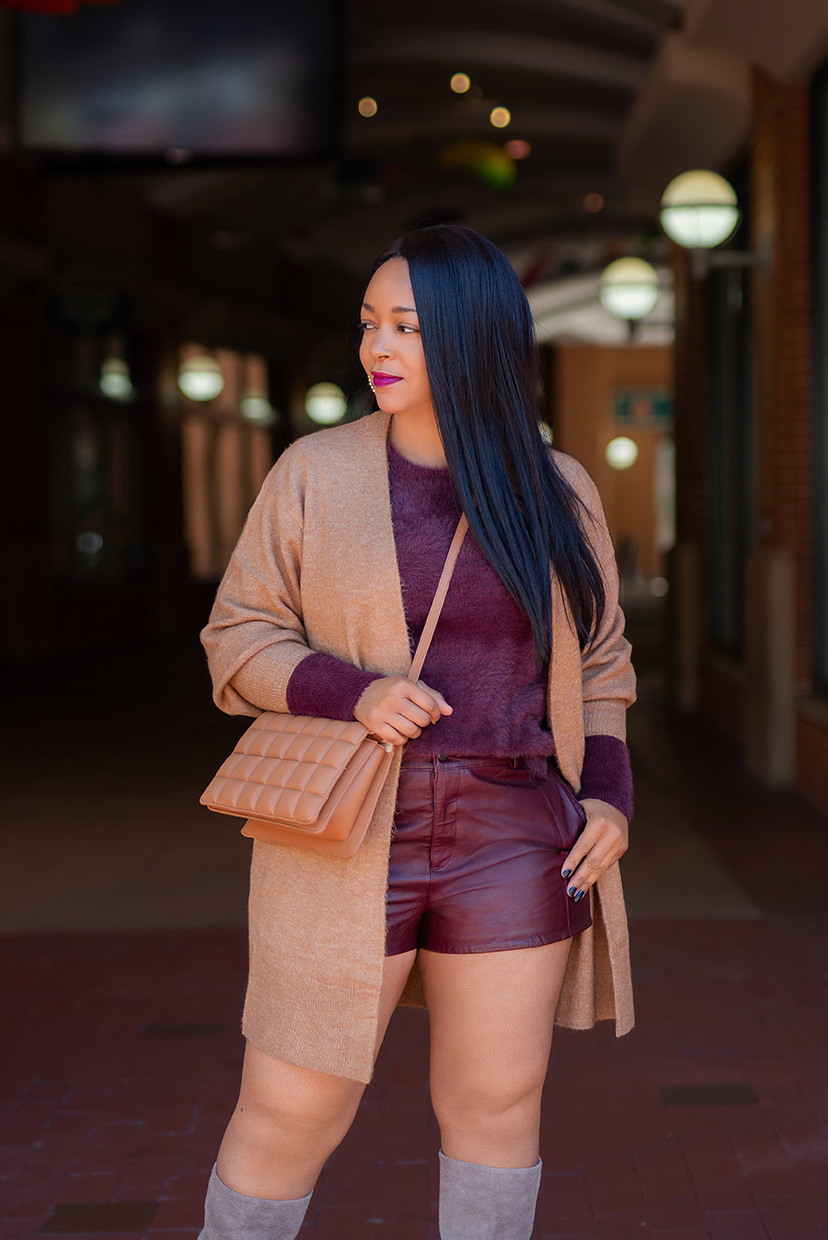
(123, 972)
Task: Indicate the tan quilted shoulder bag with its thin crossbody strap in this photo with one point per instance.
(309, 783)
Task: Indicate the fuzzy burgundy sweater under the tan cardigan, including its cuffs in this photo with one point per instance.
(482, 658)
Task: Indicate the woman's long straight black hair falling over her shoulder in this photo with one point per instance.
(479, 345)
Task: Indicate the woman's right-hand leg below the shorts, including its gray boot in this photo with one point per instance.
(493, 1017)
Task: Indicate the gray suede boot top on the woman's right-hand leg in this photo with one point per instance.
(487, 1203)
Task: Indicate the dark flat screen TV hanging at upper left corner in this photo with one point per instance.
(179, 81)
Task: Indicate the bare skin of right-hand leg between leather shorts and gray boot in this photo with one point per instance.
(491, 1017)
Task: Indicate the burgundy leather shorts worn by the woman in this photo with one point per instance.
(477, 857)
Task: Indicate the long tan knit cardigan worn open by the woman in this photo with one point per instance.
(317, 570)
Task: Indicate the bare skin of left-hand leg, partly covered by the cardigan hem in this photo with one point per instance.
(289, 1120)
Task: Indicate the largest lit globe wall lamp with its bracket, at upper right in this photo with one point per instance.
(700, 211)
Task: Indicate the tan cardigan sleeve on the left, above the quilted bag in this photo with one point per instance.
(255, 638)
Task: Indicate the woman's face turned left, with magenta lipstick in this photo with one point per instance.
(392, 348)
